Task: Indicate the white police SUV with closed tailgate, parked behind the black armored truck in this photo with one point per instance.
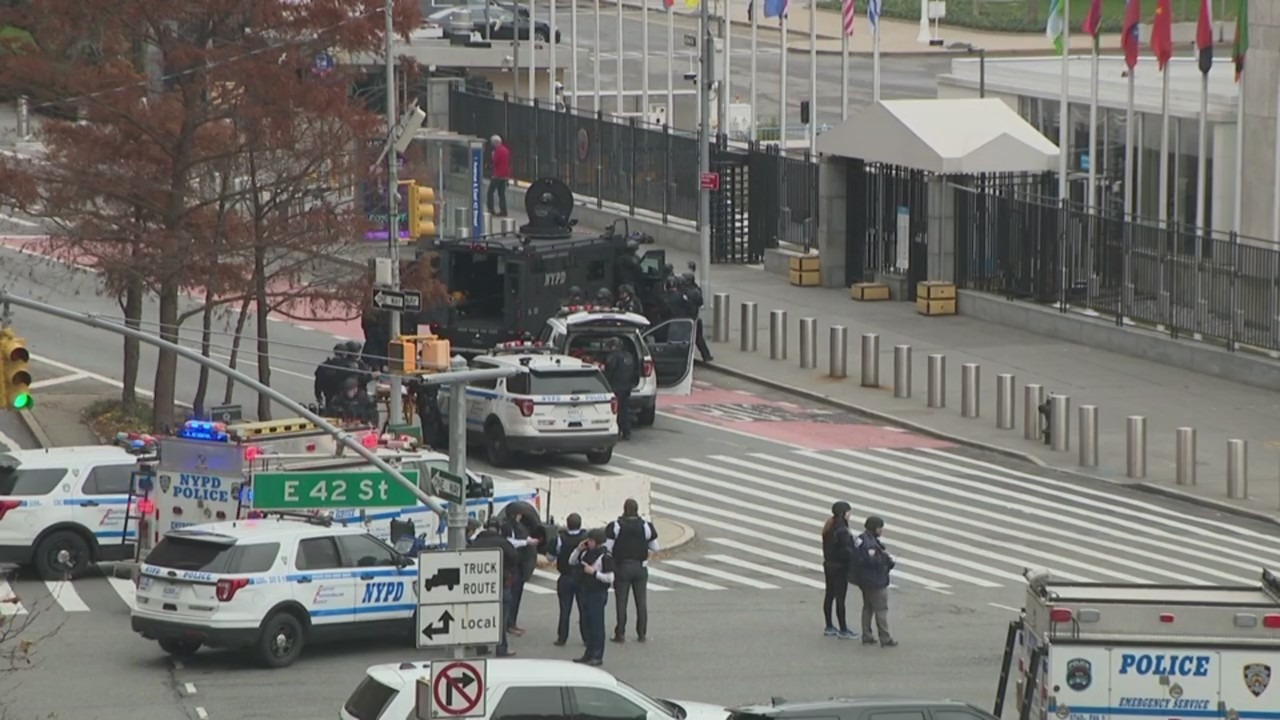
(557, 404)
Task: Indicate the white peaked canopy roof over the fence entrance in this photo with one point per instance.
(943, 138)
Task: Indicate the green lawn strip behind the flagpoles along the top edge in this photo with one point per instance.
(1031, 16)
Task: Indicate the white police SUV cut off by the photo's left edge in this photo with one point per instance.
(63, 509)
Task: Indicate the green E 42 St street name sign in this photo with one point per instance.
(332, 489)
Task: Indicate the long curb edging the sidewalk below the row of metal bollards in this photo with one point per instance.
(1151, 489)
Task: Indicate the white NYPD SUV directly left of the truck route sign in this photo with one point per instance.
(272, 586)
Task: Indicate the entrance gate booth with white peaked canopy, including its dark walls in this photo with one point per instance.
(909, 186)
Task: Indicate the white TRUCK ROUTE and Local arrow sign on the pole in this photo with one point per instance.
(460, 599)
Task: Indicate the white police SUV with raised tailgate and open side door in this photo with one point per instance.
(665, 353)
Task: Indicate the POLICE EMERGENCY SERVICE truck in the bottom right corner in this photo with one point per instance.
(1092, 651)
